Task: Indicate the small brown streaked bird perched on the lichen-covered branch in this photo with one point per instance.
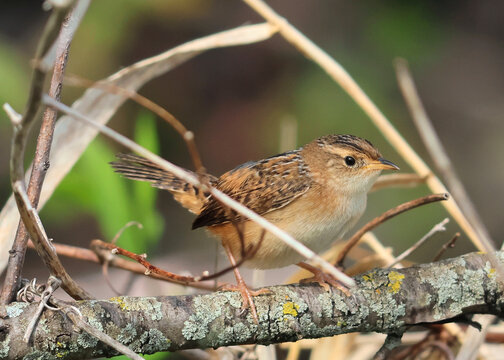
(315, 193)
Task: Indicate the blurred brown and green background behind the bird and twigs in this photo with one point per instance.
(236, 99)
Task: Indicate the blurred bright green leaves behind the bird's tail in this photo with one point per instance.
(92, 187)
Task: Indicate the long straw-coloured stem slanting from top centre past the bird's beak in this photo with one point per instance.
(341, 76)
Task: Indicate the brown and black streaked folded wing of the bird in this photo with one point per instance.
(262, 186)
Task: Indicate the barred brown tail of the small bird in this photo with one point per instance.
(139, 168)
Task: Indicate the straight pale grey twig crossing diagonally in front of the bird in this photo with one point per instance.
(219, 195)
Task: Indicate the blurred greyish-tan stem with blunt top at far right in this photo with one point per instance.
(438, 153)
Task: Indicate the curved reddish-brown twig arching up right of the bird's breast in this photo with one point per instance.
(384, 217)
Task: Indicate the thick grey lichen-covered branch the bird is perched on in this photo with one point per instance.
(384, 300)
